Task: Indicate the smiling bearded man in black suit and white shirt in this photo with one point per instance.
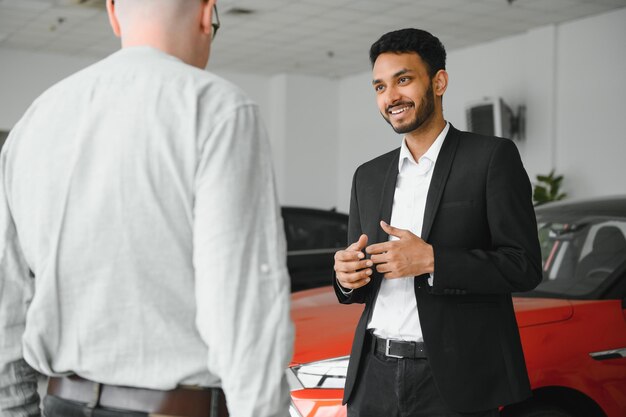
(452, 233)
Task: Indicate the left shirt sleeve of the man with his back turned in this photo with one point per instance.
(18, 381)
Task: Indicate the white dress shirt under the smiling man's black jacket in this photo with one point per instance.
(395, 313)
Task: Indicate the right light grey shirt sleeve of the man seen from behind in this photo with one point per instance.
(242, 284)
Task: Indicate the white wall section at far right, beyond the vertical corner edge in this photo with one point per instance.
(591, 143)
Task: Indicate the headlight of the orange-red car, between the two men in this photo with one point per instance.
(329, 373)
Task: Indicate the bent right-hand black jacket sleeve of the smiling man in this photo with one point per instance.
(513, 262)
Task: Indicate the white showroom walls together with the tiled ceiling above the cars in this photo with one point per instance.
(305, 63)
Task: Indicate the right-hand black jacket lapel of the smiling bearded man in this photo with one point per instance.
(439, 178)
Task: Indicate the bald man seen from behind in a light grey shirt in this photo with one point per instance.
(142, 256)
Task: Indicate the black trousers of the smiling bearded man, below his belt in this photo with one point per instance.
(392, 387)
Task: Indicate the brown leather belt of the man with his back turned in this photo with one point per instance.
(182, 401)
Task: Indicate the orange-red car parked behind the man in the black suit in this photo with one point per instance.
(573, 325)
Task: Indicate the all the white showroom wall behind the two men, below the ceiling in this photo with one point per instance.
(571, 77)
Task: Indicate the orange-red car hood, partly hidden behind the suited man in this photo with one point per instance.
(325, 328)
